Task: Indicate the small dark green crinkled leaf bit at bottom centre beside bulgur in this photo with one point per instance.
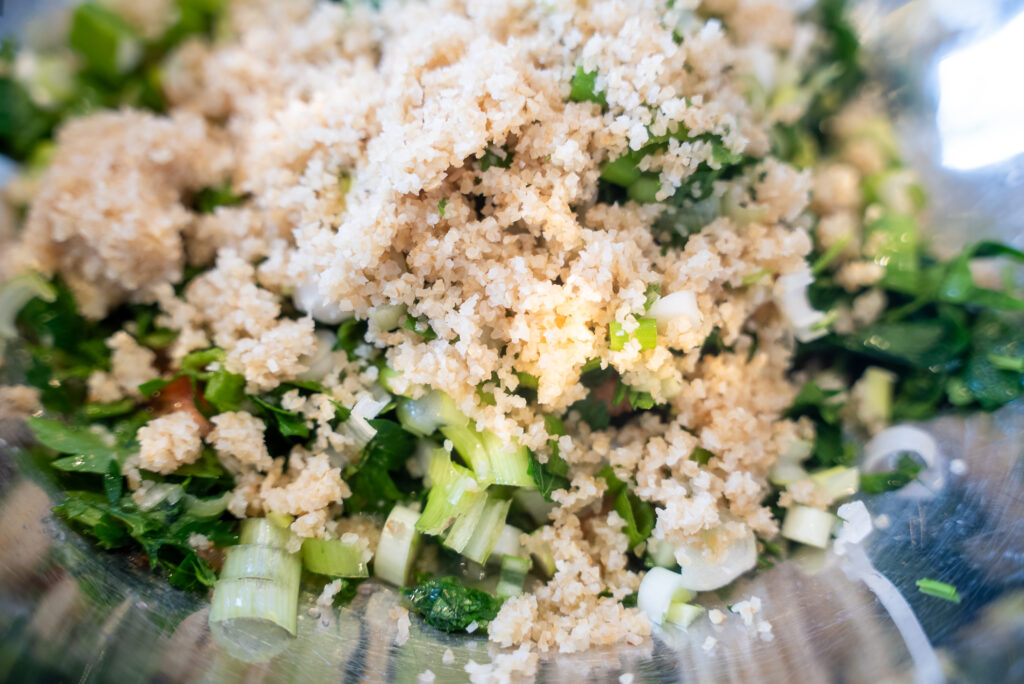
(448, 606)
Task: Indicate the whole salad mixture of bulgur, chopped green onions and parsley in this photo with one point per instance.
(553, 315)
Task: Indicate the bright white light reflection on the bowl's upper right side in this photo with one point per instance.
(982, 104)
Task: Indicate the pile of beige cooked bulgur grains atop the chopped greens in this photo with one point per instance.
(358, 139)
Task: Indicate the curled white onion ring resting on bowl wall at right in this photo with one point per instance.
(883, 451)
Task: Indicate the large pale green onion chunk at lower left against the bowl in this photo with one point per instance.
(254, 612)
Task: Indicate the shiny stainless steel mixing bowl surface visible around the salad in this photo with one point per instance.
(70, 613)
